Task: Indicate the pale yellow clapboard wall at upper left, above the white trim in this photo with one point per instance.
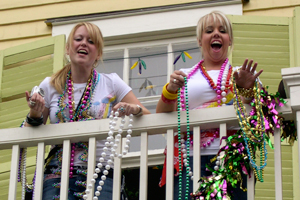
(23, 21)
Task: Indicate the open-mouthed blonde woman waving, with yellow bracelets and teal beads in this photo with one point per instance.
(206, 84)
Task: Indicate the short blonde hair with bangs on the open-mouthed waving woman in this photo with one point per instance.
(215, 16)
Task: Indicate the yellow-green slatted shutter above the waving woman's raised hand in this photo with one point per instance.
(267, 44)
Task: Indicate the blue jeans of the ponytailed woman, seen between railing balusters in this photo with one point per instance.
(49, 191)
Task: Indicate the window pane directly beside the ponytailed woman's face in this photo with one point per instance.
(112, 63)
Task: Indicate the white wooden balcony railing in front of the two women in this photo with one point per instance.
(165, 123)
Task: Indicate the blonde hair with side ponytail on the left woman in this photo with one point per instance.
(58, 79)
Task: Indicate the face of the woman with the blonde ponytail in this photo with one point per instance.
(82, 50)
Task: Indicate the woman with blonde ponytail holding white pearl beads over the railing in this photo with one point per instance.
(77, 93)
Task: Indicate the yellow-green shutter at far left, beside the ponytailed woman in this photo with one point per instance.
(21, 68)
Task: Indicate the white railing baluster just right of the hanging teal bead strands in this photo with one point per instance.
(197, 159)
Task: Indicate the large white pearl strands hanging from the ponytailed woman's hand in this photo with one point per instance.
(111, 145)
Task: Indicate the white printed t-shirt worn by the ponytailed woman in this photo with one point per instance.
(110, 90)
